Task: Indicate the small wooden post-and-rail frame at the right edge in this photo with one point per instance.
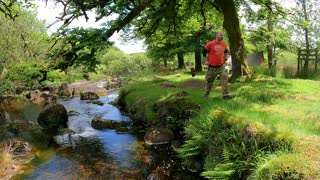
(310, 58)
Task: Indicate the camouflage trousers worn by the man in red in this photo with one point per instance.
(212, 74)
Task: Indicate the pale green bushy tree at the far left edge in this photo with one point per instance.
(23, 49)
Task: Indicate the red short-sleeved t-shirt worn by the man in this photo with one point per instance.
(216, 51)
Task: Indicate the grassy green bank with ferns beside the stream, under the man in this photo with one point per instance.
(269, 131)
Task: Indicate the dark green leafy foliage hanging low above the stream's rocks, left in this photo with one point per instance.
(78, 46)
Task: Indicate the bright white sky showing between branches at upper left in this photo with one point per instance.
(51, 11)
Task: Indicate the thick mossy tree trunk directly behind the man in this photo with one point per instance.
(232, 26)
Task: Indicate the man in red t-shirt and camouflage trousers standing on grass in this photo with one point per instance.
(217, 54)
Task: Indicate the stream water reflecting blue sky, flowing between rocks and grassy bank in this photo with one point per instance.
(102, 154)
